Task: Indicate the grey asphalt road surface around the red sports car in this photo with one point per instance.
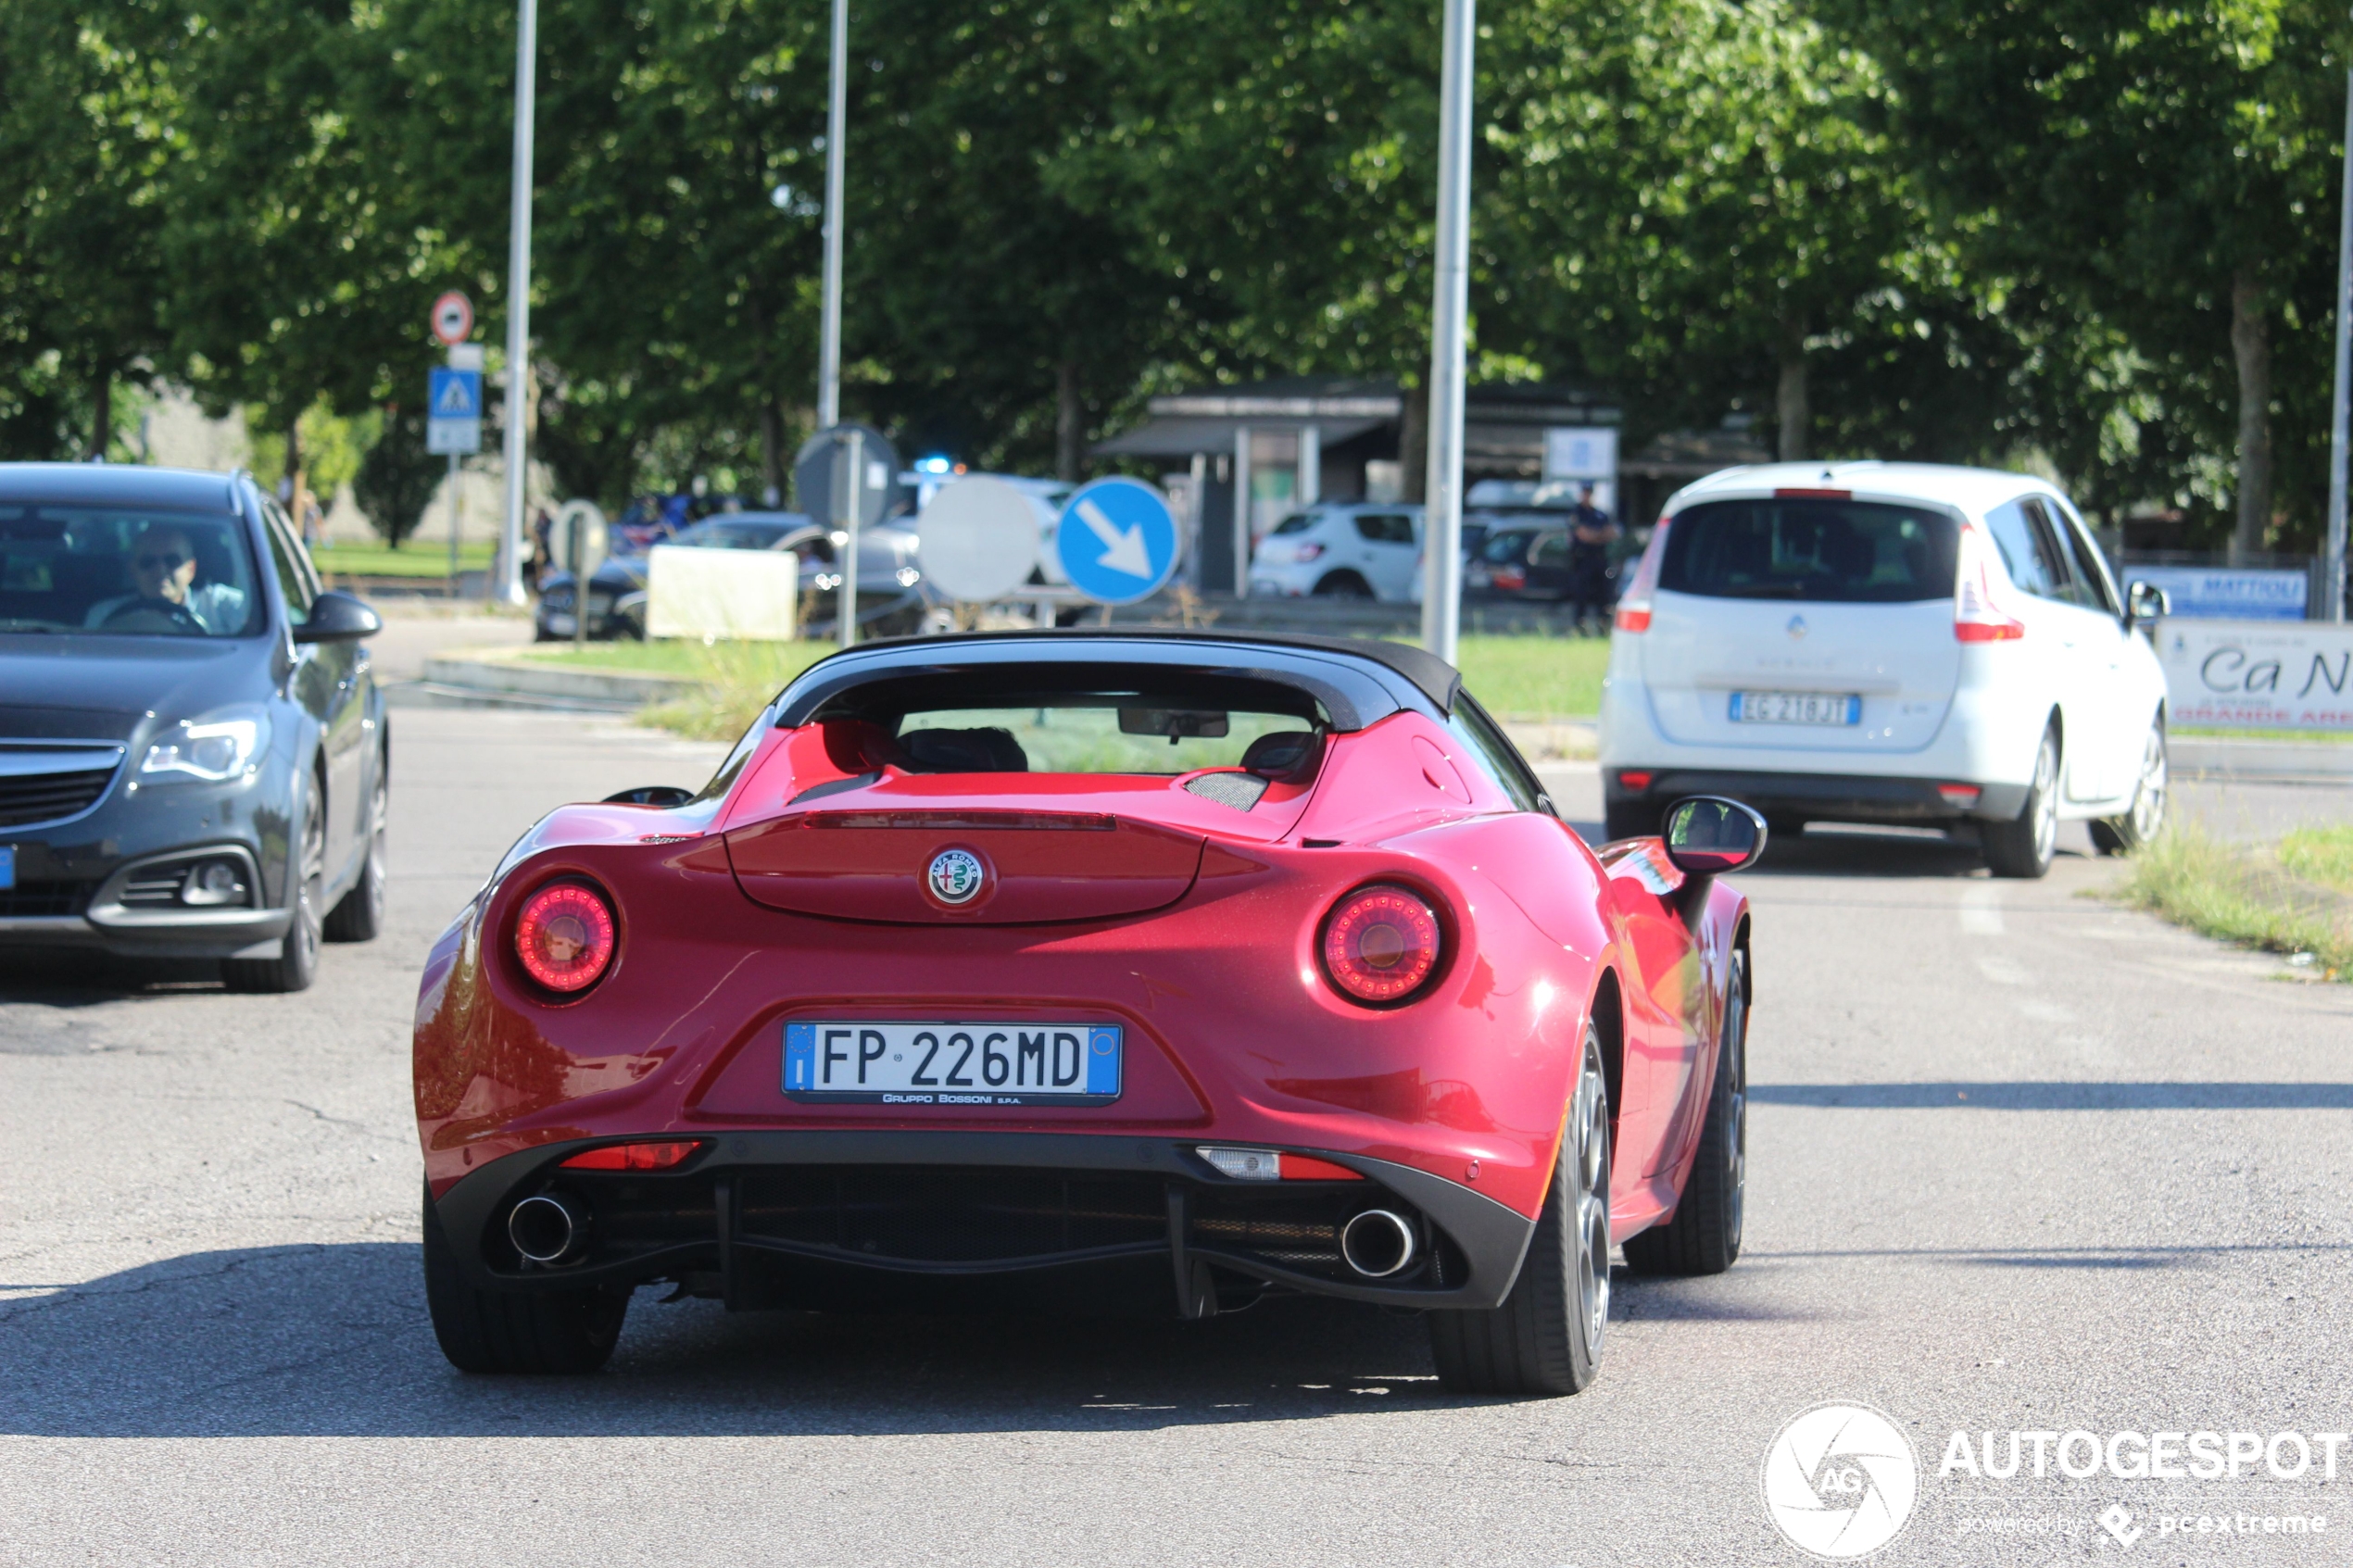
(2020, 1162)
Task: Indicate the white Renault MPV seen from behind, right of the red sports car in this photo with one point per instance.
(1886, 643)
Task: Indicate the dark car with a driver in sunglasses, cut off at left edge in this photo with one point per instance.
(194, 756)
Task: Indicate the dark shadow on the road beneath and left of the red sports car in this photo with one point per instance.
(333, 1341)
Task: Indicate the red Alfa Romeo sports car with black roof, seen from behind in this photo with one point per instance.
(1088, 970)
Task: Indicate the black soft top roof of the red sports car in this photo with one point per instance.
(1357, 681)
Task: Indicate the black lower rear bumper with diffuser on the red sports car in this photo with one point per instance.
(799, 1219)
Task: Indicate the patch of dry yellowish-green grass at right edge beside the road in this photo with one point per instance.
(2253, 897)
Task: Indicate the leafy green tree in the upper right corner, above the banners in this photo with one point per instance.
(2166, 177)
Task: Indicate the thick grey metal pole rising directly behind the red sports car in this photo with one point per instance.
(1444, 509)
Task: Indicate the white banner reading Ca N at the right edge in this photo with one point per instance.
(2258, 674)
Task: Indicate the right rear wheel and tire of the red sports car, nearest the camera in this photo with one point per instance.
(1547, 1336)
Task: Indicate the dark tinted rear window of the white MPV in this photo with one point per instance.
(1797, 549)
